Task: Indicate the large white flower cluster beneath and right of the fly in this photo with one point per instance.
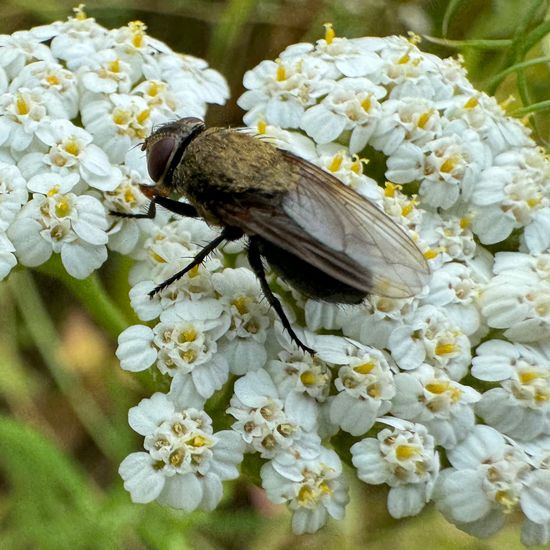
(459, 373)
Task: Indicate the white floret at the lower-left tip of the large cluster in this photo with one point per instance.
(185, 461)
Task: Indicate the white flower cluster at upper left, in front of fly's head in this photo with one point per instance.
(75, 100)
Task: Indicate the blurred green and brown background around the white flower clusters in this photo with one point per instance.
(63, 398)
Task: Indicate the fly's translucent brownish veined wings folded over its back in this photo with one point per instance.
(330, 226)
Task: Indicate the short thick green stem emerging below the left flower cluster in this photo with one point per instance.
(92, 295)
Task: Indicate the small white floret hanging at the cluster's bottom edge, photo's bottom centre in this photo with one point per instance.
(317, 490)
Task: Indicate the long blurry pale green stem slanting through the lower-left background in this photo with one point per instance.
(42, 330)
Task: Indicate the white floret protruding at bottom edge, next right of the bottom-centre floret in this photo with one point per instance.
(405, 459)
